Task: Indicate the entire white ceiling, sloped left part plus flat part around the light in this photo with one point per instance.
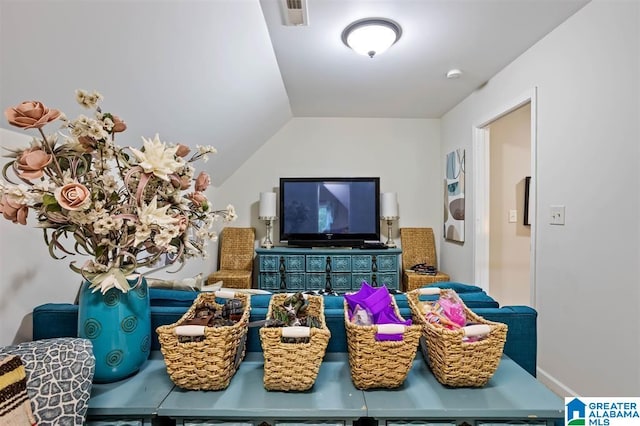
(228, 73)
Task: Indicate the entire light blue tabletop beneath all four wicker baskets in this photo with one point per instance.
(511, 396)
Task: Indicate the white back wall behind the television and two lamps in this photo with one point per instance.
(404, 153)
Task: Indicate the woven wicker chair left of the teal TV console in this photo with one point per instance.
(236, 258)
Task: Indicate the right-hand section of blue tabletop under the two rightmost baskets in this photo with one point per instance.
(512, 395)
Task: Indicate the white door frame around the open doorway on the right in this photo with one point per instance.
(481, 169)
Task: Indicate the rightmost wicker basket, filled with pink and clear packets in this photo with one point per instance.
(455, 362)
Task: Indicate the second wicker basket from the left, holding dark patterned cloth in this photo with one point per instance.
(293, 366)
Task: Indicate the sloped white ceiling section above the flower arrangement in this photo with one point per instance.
(196, 72)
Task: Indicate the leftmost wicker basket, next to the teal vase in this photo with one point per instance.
(211, 363)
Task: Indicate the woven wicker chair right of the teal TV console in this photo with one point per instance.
(418, 246)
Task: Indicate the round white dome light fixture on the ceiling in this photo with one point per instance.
(371, 36)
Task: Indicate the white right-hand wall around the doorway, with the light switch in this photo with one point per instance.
(587, 272)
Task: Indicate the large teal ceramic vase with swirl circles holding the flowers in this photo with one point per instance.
(119, 327)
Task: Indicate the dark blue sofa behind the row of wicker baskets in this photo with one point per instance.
(167, 306)
